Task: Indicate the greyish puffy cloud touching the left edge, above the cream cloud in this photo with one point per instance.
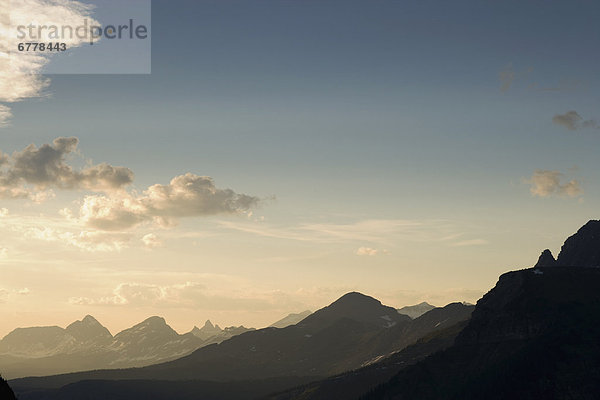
(47, 167)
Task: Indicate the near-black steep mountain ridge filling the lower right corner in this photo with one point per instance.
(535, 335)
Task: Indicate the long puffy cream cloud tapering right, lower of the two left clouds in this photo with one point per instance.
(186, 195)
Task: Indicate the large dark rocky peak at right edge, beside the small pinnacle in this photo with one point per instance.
(583, 248)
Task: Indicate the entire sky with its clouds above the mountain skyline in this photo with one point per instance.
(283, 153)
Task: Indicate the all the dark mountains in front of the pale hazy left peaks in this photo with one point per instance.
(535, 335)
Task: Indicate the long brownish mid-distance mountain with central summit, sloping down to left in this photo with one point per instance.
(353, 332)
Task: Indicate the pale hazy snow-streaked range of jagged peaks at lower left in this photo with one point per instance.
(86, 345)
